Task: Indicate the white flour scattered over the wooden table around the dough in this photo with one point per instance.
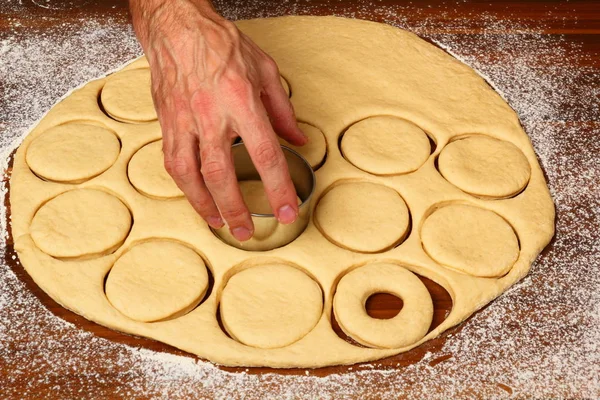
(504, 351)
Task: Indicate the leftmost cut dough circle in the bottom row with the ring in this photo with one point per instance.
(157, 280)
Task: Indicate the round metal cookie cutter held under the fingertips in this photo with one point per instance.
(268, 232)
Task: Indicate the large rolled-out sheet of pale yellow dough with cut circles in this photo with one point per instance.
(277, 305)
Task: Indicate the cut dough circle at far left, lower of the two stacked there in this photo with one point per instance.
(81, 223)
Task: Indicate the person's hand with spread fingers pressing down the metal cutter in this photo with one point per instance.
(211, 84)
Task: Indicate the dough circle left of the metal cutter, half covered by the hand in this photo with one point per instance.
(148, 175)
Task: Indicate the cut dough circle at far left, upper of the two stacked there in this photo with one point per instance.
(73, 152)
